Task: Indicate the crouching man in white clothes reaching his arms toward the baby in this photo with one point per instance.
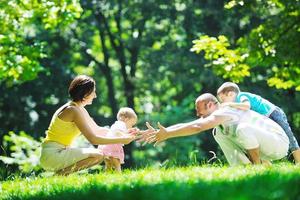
(244, 136)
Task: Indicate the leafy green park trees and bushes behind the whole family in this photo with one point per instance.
(154, 56)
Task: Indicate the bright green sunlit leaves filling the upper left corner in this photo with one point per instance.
(20, 24)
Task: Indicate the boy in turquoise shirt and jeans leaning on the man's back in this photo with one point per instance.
(230, 94)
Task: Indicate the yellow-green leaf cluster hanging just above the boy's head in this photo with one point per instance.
(225, 62)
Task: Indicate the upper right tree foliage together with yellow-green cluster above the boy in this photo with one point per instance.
(272, 44)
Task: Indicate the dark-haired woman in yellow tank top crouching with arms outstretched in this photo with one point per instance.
(67, 123)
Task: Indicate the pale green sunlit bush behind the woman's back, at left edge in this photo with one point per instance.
(24, 151)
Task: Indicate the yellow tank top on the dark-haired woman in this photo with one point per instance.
(61, 131)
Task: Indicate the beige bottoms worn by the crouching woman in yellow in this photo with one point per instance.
(55, 156)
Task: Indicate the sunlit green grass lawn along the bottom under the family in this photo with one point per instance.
(280, 181)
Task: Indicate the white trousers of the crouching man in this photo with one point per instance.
(272, 146)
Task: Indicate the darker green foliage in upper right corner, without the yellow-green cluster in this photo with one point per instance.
(274, 43)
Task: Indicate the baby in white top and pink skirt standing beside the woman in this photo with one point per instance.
(126, 119)
